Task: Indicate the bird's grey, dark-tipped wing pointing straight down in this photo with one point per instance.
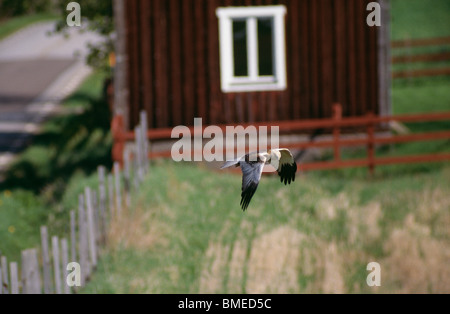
(251, 174)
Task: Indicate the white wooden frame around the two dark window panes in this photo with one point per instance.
(253, 82)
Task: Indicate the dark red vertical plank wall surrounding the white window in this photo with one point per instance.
(174, 70)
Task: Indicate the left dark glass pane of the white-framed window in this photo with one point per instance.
(240, 47)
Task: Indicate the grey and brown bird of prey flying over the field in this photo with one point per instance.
(252, 166)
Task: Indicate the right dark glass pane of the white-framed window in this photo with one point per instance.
(265, 46)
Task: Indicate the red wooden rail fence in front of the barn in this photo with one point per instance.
(336, 124)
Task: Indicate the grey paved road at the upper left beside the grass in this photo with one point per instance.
(36, 72)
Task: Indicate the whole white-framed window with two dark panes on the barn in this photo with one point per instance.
(252, 48)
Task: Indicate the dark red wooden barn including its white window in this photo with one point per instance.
(245, 61)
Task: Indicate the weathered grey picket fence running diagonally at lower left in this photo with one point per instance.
(46, 270)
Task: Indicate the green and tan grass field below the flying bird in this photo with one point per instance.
(187, 233)
